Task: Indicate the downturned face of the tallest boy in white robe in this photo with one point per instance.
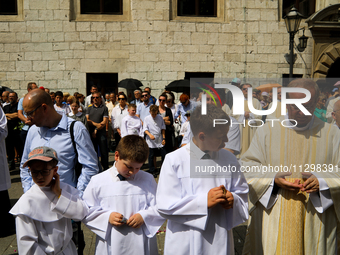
(214, 141)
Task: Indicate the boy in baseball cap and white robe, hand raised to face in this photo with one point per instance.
(44, 212)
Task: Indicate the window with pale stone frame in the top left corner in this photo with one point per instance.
(11, 10)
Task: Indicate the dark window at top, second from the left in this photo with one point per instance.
(113, 7)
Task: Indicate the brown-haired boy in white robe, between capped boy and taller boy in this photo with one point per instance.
(122, 202)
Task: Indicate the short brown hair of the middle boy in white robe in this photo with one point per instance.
(133, 148)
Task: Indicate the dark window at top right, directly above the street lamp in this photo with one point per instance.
(305, 7)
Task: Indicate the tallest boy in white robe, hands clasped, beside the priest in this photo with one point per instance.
(202, 211)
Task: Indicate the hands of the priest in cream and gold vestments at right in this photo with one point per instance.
(309, 186)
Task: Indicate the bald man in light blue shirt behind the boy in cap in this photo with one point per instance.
(53, 130)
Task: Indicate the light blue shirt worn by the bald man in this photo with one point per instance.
(59, 139)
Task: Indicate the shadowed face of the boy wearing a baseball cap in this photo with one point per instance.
(42, 173)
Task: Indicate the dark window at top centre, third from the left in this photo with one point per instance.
(201, 8)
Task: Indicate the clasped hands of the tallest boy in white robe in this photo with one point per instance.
(219, 195)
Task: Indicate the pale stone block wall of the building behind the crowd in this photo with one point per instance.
(50, 42)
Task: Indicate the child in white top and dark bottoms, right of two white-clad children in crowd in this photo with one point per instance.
(154, 128)
